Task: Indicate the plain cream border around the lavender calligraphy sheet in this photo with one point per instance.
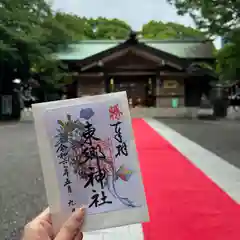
(133, 215)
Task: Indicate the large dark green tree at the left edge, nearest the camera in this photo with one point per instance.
(29, 35)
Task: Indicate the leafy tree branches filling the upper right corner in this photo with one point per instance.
(217, 18)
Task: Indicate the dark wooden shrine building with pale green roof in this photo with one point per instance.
(152, 72)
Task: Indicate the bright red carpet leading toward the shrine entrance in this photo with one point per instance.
(184, 204)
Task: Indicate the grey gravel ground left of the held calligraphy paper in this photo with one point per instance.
(22, 193)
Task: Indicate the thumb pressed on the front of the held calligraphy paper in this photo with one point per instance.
(72, 226)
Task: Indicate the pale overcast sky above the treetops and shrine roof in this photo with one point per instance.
(134, 12)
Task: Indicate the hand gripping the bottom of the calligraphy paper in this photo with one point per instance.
(41, 227)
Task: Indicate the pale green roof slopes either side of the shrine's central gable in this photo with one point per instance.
(182, 48)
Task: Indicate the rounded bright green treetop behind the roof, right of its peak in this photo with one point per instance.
(160, 30)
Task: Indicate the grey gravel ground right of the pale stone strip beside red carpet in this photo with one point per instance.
(221, 137)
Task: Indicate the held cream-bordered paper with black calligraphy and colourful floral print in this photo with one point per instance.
(91, 148)
